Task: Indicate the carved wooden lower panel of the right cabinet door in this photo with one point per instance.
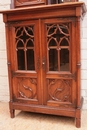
(59, 90)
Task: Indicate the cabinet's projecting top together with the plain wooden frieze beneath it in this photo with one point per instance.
(69, 9)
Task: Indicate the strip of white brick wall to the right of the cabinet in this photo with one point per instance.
(84, 59)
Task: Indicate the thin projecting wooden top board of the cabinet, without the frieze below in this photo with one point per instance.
(46, 7)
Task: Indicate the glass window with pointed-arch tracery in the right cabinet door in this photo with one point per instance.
(58, 39)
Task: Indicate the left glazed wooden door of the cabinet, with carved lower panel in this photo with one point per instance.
(24, 60)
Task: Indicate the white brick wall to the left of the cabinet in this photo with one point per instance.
(4, 88)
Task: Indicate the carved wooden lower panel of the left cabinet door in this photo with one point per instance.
(27, 88)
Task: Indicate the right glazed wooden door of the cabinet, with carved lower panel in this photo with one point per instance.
(59, 62)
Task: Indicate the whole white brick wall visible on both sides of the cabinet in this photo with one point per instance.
(4, 87)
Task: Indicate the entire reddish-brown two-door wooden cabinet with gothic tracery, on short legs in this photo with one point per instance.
(43, 53)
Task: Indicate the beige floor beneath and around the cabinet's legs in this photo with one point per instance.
(32, 121)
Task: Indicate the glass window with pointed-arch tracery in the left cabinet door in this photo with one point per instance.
(25, 47)
